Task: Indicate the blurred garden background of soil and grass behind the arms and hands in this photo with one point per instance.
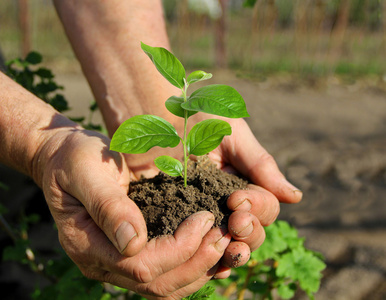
(313, 75)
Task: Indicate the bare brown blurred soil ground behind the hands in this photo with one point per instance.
(329, 138)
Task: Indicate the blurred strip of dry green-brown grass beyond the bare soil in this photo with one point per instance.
(263, 53)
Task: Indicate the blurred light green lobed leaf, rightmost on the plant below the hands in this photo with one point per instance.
(303, 266)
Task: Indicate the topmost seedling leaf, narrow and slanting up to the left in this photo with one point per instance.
(167, 64)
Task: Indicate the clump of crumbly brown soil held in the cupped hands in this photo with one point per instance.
(165, 202)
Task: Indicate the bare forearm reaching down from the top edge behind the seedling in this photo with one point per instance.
(106, 37)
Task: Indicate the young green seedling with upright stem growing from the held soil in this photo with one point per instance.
(141, 133)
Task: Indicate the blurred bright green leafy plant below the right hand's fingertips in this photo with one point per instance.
(282, 264)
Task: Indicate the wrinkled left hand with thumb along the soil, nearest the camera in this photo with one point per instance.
(104, 232)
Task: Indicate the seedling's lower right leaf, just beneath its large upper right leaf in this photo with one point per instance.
(206, 135)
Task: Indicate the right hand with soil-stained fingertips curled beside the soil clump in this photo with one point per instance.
(259, 205)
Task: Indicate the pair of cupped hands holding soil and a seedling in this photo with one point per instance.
(104, 233)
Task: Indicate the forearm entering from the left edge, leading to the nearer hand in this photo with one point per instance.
(26, 123)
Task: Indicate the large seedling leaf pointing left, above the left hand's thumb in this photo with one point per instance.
(141, 133)
